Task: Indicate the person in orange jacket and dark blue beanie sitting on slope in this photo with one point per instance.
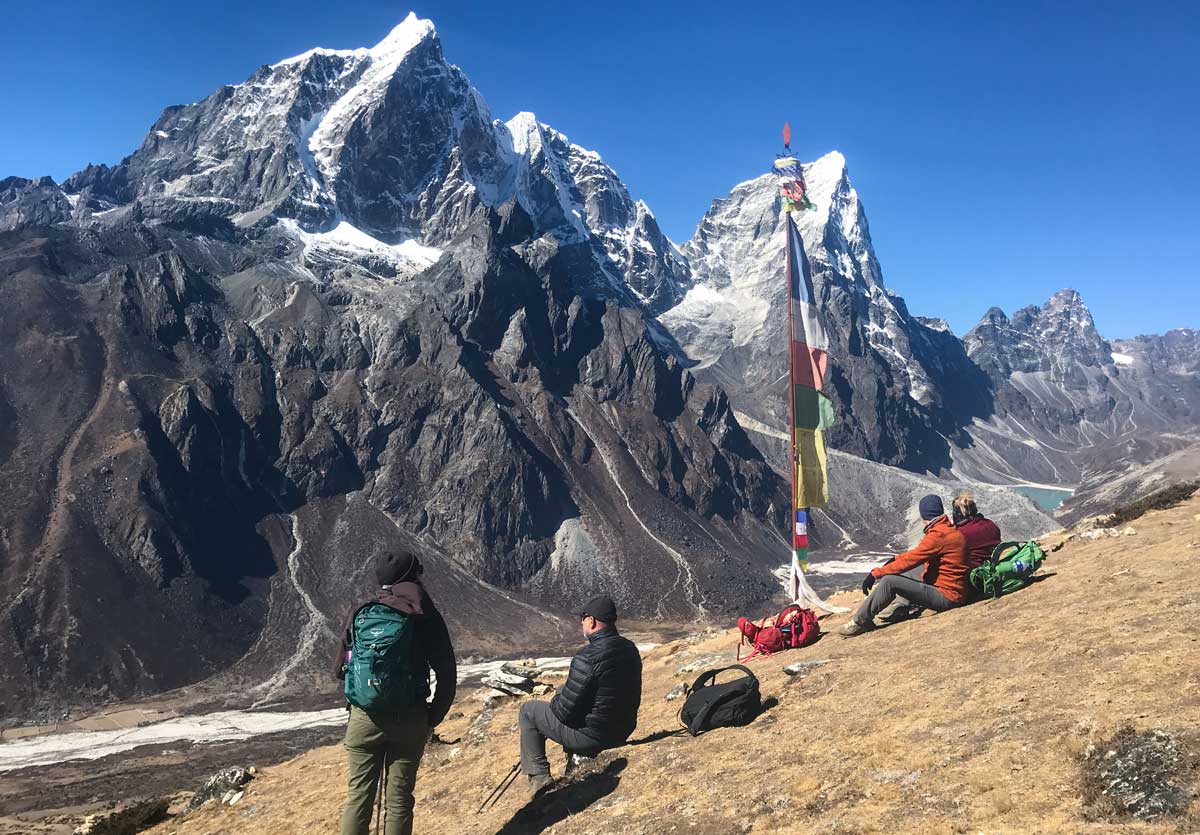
(945, 585)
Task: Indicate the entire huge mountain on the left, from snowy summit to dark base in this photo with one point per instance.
(283, 345)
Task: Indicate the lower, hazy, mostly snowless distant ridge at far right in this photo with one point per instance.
(1083, 409)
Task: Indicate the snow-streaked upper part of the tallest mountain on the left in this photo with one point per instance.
(392, 141)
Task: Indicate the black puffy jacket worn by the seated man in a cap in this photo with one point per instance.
(604, 689)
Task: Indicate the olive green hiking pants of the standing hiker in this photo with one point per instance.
(374, 743)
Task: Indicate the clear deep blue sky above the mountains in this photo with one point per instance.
(1003, 151)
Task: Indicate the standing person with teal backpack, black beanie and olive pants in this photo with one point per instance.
(389, 646)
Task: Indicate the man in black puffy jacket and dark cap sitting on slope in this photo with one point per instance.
(597, 708)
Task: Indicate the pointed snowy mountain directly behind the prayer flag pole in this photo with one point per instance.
(899, 385)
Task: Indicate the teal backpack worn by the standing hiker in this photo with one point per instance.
(380, 672)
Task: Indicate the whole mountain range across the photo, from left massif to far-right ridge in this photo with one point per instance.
(339, 309)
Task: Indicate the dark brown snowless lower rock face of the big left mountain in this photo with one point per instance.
(487, 410)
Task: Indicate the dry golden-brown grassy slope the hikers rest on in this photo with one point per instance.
(962, 723)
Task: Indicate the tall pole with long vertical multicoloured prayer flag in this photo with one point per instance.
(812, 411)
